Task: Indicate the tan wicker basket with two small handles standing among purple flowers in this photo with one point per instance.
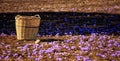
(27, 27)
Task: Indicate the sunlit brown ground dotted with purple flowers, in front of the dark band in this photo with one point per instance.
(92, 47)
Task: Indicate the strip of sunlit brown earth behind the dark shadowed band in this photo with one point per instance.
(102, 6)
